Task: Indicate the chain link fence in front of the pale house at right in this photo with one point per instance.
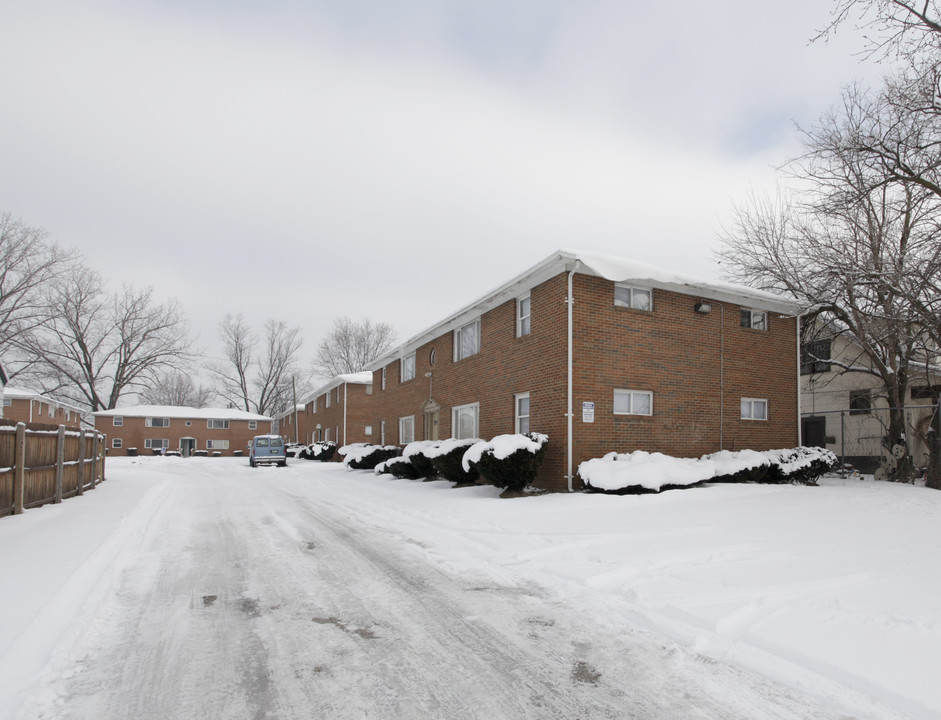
(861, 437)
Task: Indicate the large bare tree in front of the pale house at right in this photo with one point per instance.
(848, 246)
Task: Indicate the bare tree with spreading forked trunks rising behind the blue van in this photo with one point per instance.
(257, 371)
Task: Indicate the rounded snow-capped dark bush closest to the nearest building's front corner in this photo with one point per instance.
(508, 461)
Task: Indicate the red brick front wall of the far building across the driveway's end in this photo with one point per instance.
(133, 433)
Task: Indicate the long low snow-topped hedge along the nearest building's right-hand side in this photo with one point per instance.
(639, 471)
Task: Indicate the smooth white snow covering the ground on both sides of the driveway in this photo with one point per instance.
(833, 590)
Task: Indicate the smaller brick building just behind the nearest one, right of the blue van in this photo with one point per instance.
(340, 411)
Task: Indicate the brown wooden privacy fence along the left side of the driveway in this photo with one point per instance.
(42, 464)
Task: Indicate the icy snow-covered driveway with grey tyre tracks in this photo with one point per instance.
(315, 592)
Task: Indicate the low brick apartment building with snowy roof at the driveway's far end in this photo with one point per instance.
(149, 428)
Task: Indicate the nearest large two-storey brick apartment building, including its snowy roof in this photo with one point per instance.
(600, 354)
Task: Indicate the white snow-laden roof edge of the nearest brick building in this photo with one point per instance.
(608, 267)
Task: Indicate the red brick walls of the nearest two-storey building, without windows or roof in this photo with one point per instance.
(671, 351)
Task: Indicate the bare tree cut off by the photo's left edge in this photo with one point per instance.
(28, 261)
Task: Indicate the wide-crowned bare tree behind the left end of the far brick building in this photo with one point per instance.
(91, 347)
